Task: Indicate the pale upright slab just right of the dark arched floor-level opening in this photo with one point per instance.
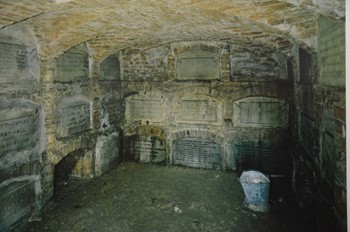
(107, 153)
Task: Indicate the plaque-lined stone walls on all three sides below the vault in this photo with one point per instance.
(202, 104)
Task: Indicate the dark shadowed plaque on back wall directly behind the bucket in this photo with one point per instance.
(260, 155)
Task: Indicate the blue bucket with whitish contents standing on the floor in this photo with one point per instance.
(256, 187)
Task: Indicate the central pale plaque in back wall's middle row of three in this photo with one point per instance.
(198, 109)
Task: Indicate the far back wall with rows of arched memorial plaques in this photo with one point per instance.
(208, 101)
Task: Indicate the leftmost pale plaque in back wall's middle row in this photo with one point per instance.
(150, 109)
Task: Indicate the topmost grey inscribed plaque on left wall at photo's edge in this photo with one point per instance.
(13, 61)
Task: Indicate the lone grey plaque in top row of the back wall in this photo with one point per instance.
(197, 66)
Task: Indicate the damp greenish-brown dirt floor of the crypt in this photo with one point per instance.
(138, 197)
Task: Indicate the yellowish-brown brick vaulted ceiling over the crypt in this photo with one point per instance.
(110, 25)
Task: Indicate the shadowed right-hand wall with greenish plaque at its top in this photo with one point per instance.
(319, 164)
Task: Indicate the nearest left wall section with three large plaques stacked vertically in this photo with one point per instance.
(22, 140)
